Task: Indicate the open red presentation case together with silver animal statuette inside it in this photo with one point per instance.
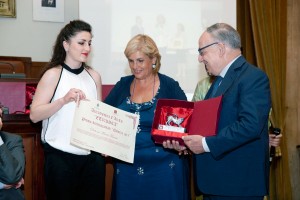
(176, 118)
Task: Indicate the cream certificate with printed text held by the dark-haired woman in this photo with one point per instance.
(105, 129)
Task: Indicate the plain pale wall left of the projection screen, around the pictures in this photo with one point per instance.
(21, 36)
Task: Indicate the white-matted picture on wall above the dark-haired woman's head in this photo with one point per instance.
(48, 10)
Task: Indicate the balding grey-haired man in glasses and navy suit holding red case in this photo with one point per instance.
(233, 164)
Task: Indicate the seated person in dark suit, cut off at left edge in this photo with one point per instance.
(12, 165)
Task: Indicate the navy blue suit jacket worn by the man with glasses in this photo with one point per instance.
(238, 162)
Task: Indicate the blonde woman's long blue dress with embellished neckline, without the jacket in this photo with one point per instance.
(156, 173)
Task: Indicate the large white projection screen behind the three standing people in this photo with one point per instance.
(112, 21)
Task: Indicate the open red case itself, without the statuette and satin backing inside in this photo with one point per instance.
(204, 119)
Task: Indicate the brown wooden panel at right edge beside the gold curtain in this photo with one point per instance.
(292, 126)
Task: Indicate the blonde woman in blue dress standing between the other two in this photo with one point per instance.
(156, 173)
